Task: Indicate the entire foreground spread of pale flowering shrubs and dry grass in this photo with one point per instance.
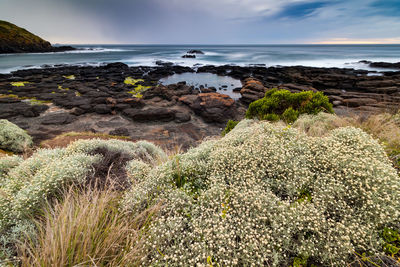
(321, 191)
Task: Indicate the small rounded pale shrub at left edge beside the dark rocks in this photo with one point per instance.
(13, 138)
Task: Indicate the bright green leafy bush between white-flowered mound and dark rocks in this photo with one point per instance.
(282, 104)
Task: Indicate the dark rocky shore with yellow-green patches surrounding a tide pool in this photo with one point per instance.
(47, 102)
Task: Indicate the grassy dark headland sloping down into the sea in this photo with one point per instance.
(14, 39)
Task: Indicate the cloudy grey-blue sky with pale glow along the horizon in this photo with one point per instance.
(207, 21)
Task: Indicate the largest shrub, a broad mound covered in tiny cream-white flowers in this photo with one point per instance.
(266, 194)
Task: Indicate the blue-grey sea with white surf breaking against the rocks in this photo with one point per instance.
(342, 56)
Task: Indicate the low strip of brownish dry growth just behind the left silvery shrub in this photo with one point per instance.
(65, 139)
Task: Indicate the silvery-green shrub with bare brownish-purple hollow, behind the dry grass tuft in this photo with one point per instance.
(26, 186)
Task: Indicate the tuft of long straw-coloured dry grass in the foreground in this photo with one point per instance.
(87, 228)
